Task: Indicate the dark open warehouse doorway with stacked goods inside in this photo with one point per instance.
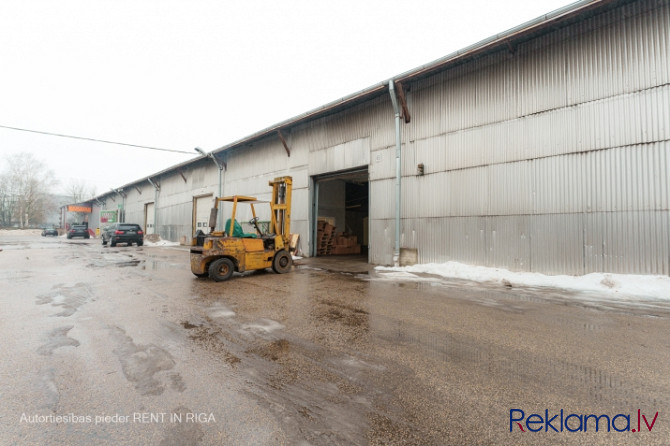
(341, 209)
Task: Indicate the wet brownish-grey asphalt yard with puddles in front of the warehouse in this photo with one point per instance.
(124, 346)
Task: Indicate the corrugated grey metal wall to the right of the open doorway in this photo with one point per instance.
(554, 158)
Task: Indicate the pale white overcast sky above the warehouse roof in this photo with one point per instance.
(180, 74)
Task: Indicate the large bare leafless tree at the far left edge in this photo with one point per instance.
(25, 189)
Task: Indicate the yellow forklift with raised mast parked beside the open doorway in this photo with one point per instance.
(220, 253)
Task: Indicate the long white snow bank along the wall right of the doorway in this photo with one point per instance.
(622, 285)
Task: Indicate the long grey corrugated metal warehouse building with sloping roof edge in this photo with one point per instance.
(545, 148)
